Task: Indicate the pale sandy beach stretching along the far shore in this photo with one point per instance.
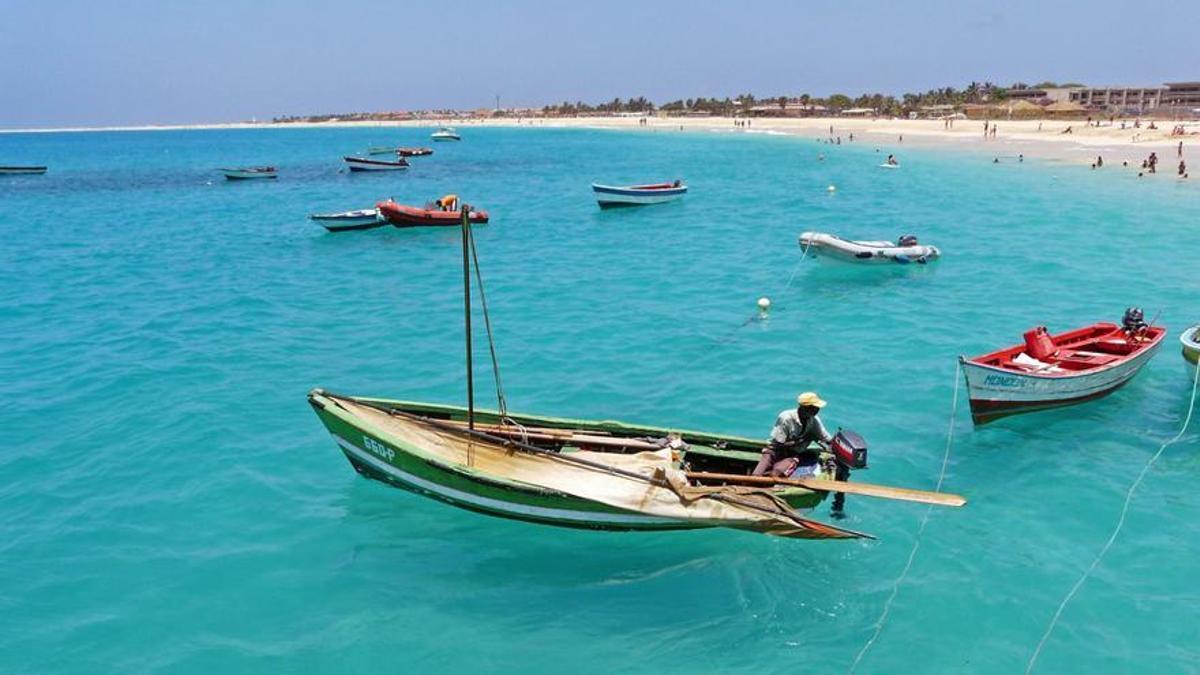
(1043, 140)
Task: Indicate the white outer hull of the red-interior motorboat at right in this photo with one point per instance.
(995, 393)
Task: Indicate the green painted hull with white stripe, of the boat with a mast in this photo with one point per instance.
(377, 457)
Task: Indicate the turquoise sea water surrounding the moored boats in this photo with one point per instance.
(170, 503)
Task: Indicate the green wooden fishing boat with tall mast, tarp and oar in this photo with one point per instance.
(574, 473)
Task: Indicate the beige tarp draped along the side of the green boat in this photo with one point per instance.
(658, 489)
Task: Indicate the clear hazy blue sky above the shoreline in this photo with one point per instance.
(93, 63)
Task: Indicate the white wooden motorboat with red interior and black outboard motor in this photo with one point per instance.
(1059, 371)
